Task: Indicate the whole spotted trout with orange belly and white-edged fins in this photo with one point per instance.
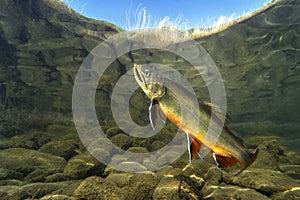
(177, 104)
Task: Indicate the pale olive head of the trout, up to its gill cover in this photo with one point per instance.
(149, 80)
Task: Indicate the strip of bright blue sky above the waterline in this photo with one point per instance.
(193, 12)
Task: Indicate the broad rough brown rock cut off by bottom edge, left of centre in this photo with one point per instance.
(134, 186)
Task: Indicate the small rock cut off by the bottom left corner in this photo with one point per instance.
(8, 192)
